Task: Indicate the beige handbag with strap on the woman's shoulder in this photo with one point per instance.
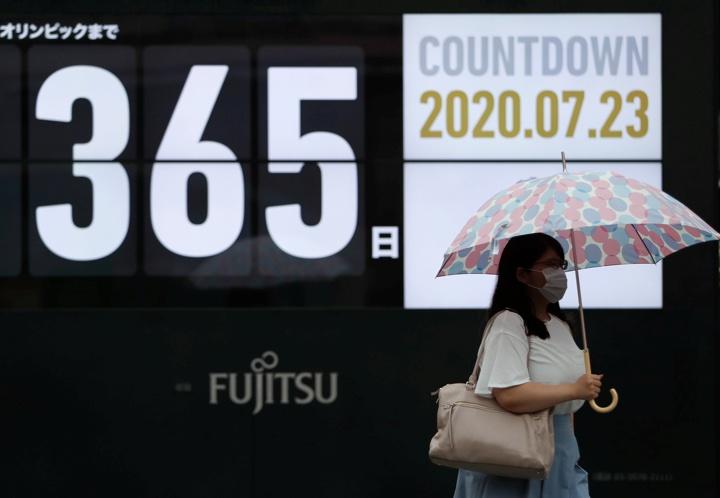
(476, 433)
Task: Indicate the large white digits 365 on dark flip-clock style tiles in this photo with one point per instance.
(201, 173)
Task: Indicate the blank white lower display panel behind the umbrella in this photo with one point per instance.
(439, 199)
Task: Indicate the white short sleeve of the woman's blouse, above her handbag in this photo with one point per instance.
(504, 361)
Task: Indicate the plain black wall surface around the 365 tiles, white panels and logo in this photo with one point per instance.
(104, 381)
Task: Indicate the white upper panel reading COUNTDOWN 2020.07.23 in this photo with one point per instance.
(487, 87)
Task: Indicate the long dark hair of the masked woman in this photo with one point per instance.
(523, 251)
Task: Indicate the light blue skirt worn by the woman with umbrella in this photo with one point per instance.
(566, 479)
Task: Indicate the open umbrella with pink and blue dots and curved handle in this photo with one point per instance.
(600, 218)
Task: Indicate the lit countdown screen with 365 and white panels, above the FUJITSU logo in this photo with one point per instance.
(250, 168)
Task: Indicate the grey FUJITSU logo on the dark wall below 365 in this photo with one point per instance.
(268, 388)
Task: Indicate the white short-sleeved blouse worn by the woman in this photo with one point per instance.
(511, 357)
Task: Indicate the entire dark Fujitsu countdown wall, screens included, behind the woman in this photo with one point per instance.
(220, 226)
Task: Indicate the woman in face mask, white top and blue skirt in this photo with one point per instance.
(531, 362)
